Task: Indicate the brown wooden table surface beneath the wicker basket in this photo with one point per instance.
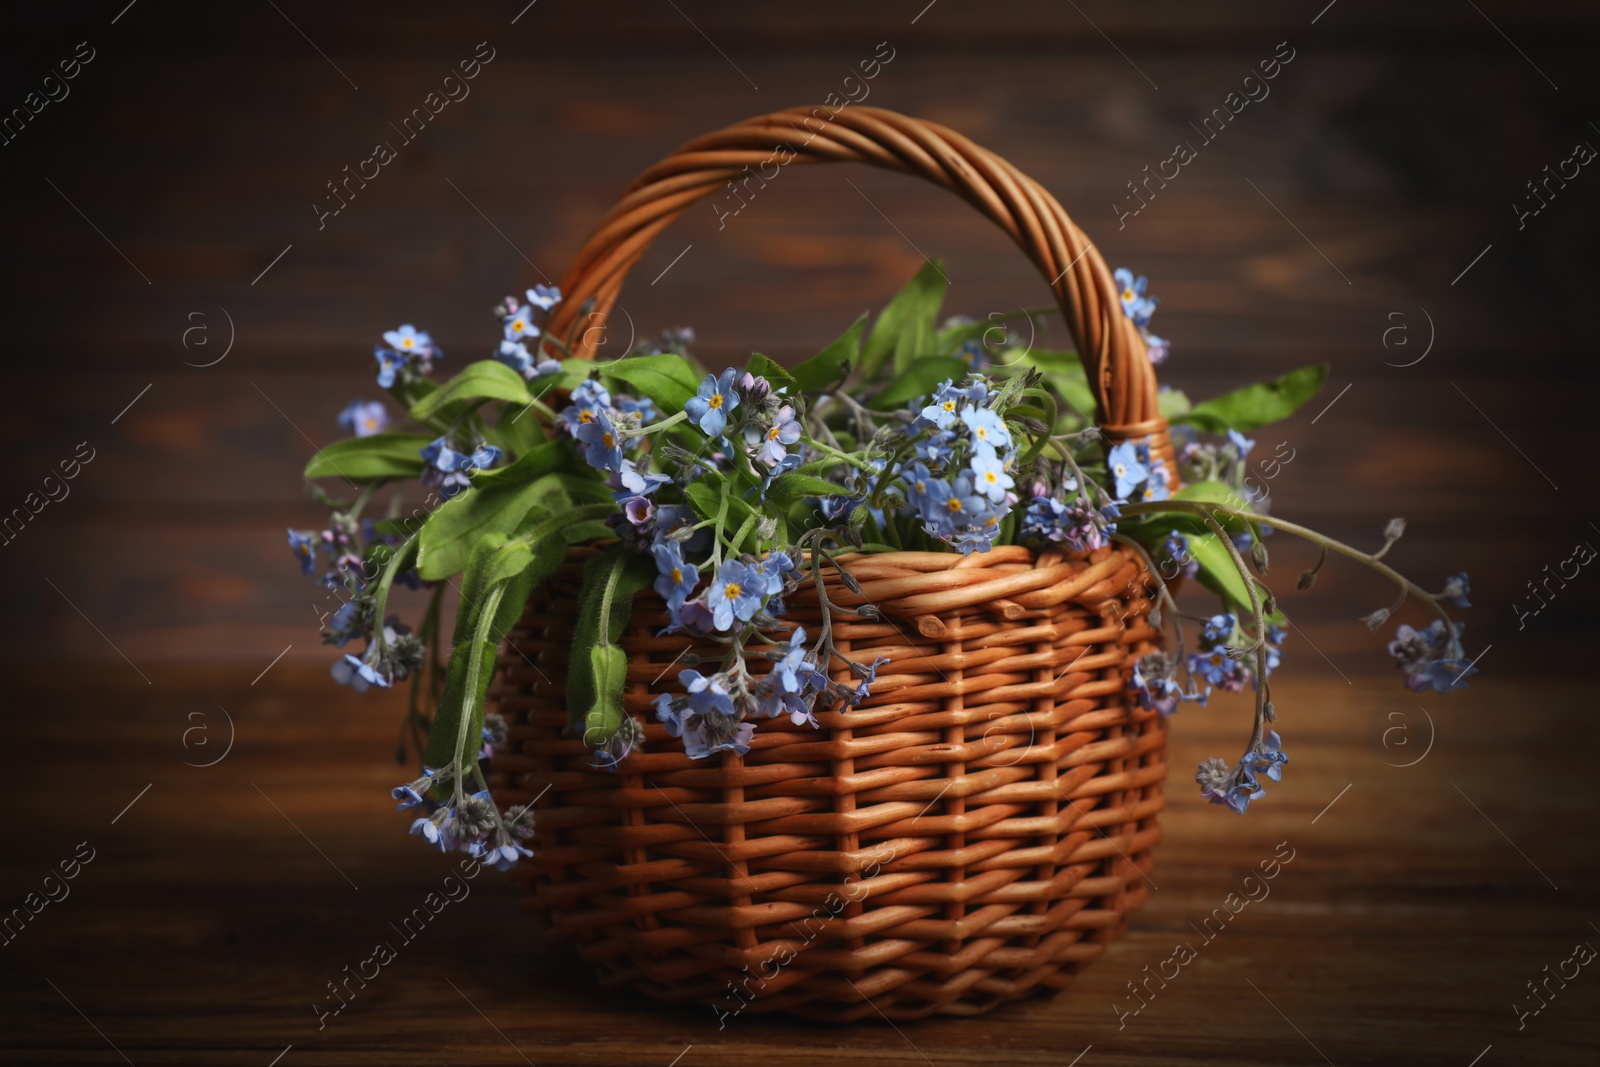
(220, 901)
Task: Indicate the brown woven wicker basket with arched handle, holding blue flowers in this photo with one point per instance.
(982, 826)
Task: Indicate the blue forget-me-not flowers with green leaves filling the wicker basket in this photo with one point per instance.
(724, 490)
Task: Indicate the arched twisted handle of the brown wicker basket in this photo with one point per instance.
(1113, 353)
